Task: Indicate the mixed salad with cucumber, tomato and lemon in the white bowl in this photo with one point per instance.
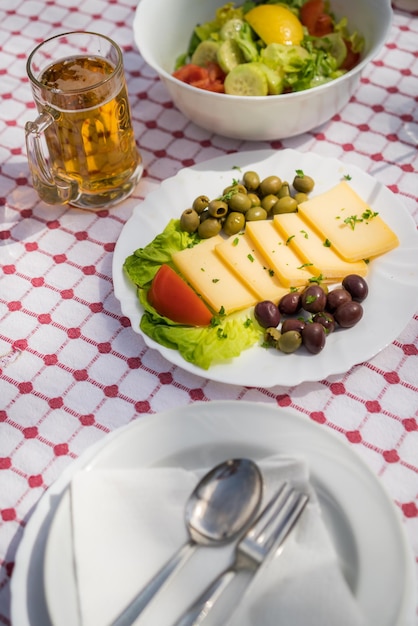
(270, 48)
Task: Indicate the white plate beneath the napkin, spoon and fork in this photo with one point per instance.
(360, 516)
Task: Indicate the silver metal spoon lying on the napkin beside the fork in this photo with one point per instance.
(219, 508)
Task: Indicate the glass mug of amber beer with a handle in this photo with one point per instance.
(81, 148)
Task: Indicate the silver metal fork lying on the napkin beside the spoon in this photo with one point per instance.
(261, 543)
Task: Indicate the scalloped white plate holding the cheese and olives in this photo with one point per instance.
(393, 278)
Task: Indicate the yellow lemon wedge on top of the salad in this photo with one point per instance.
(275, 24)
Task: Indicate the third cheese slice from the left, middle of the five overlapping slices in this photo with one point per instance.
(287, 265)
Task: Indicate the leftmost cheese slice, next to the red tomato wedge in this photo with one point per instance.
(218, 285)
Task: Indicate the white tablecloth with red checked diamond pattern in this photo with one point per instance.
(72, 369)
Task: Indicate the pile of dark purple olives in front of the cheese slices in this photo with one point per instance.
(310, 315)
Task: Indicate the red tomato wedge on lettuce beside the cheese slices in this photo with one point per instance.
(172, 297)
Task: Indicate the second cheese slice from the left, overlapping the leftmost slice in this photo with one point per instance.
(242, 256)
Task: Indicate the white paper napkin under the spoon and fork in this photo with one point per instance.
(128, 523)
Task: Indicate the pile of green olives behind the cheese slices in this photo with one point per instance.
(249, 200)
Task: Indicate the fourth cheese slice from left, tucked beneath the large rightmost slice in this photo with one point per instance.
(316, 250)
